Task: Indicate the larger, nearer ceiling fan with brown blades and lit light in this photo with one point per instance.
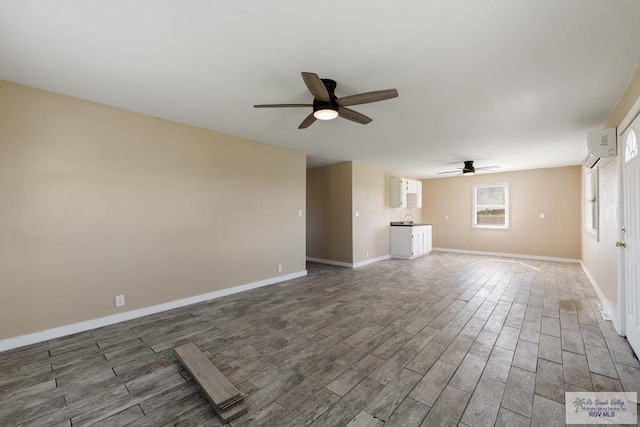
(326, 106)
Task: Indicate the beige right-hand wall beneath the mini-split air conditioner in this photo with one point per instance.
(600, 256)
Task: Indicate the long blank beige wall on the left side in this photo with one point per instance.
(97, 201)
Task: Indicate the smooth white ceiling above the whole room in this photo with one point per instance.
(514, 83)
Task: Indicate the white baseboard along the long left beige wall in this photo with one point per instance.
(20, 341)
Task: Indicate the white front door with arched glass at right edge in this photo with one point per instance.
(631, 189)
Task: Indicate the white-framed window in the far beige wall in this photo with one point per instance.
(491, 206)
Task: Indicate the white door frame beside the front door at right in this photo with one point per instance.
(622, 295)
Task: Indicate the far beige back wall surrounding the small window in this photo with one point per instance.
(554, 192)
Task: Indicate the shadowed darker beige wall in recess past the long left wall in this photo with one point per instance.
(329, 226)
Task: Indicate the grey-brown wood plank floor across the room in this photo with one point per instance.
(447, 339)
